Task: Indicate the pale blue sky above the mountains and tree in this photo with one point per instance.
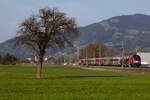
(13, 12)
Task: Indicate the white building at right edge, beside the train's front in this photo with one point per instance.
(145, 58)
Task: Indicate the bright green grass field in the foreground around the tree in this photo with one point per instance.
(70, 83)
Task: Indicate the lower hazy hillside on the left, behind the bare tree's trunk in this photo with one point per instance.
(21, 51)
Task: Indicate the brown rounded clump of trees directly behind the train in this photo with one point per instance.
(96, 50)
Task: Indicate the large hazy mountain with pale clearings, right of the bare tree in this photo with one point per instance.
(132, 29)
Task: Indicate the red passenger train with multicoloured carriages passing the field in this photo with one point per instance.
(127, 61)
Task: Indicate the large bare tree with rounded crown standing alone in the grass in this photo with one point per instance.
(48, 28)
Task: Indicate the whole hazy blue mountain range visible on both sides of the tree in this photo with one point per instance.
(132, 29)
